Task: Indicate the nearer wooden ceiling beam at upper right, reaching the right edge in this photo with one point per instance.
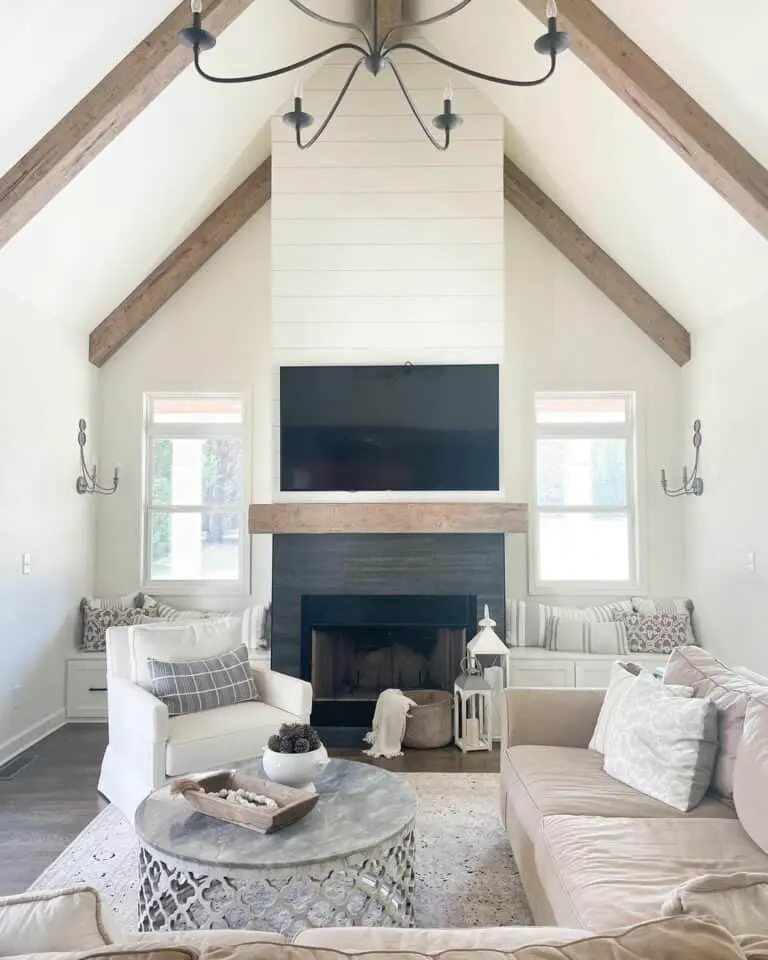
(667, 109)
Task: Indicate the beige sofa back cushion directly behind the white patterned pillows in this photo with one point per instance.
(729, 691)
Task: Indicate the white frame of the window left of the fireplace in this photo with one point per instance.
(153, 431)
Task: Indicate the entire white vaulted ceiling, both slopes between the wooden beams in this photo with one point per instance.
(178, 160)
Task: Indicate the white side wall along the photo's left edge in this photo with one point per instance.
(45, 387)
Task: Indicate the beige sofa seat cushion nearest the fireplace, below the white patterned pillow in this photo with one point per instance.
(542, 781)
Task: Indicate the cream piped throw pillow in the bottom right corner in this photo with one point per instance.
(739, 901)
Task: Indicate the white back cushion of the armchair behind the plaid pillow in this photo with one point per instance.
(179, 640)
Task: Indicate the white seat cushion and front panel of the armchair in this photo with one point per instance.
(199, 741)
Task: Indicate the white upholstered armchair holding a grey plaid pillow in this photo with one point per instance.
(147, 746)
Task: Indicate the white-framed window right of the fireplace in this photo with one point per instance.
(585, 524)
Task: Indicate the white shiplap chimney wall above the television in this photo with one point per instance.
(384, 249)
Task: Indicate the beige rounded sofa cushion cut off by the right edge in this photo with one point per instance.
(750, 774)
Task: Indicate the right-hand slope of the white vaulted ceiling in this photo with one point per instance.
(606, 168)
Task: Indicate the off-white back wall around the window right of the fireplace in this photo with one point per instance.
(563, 334)
